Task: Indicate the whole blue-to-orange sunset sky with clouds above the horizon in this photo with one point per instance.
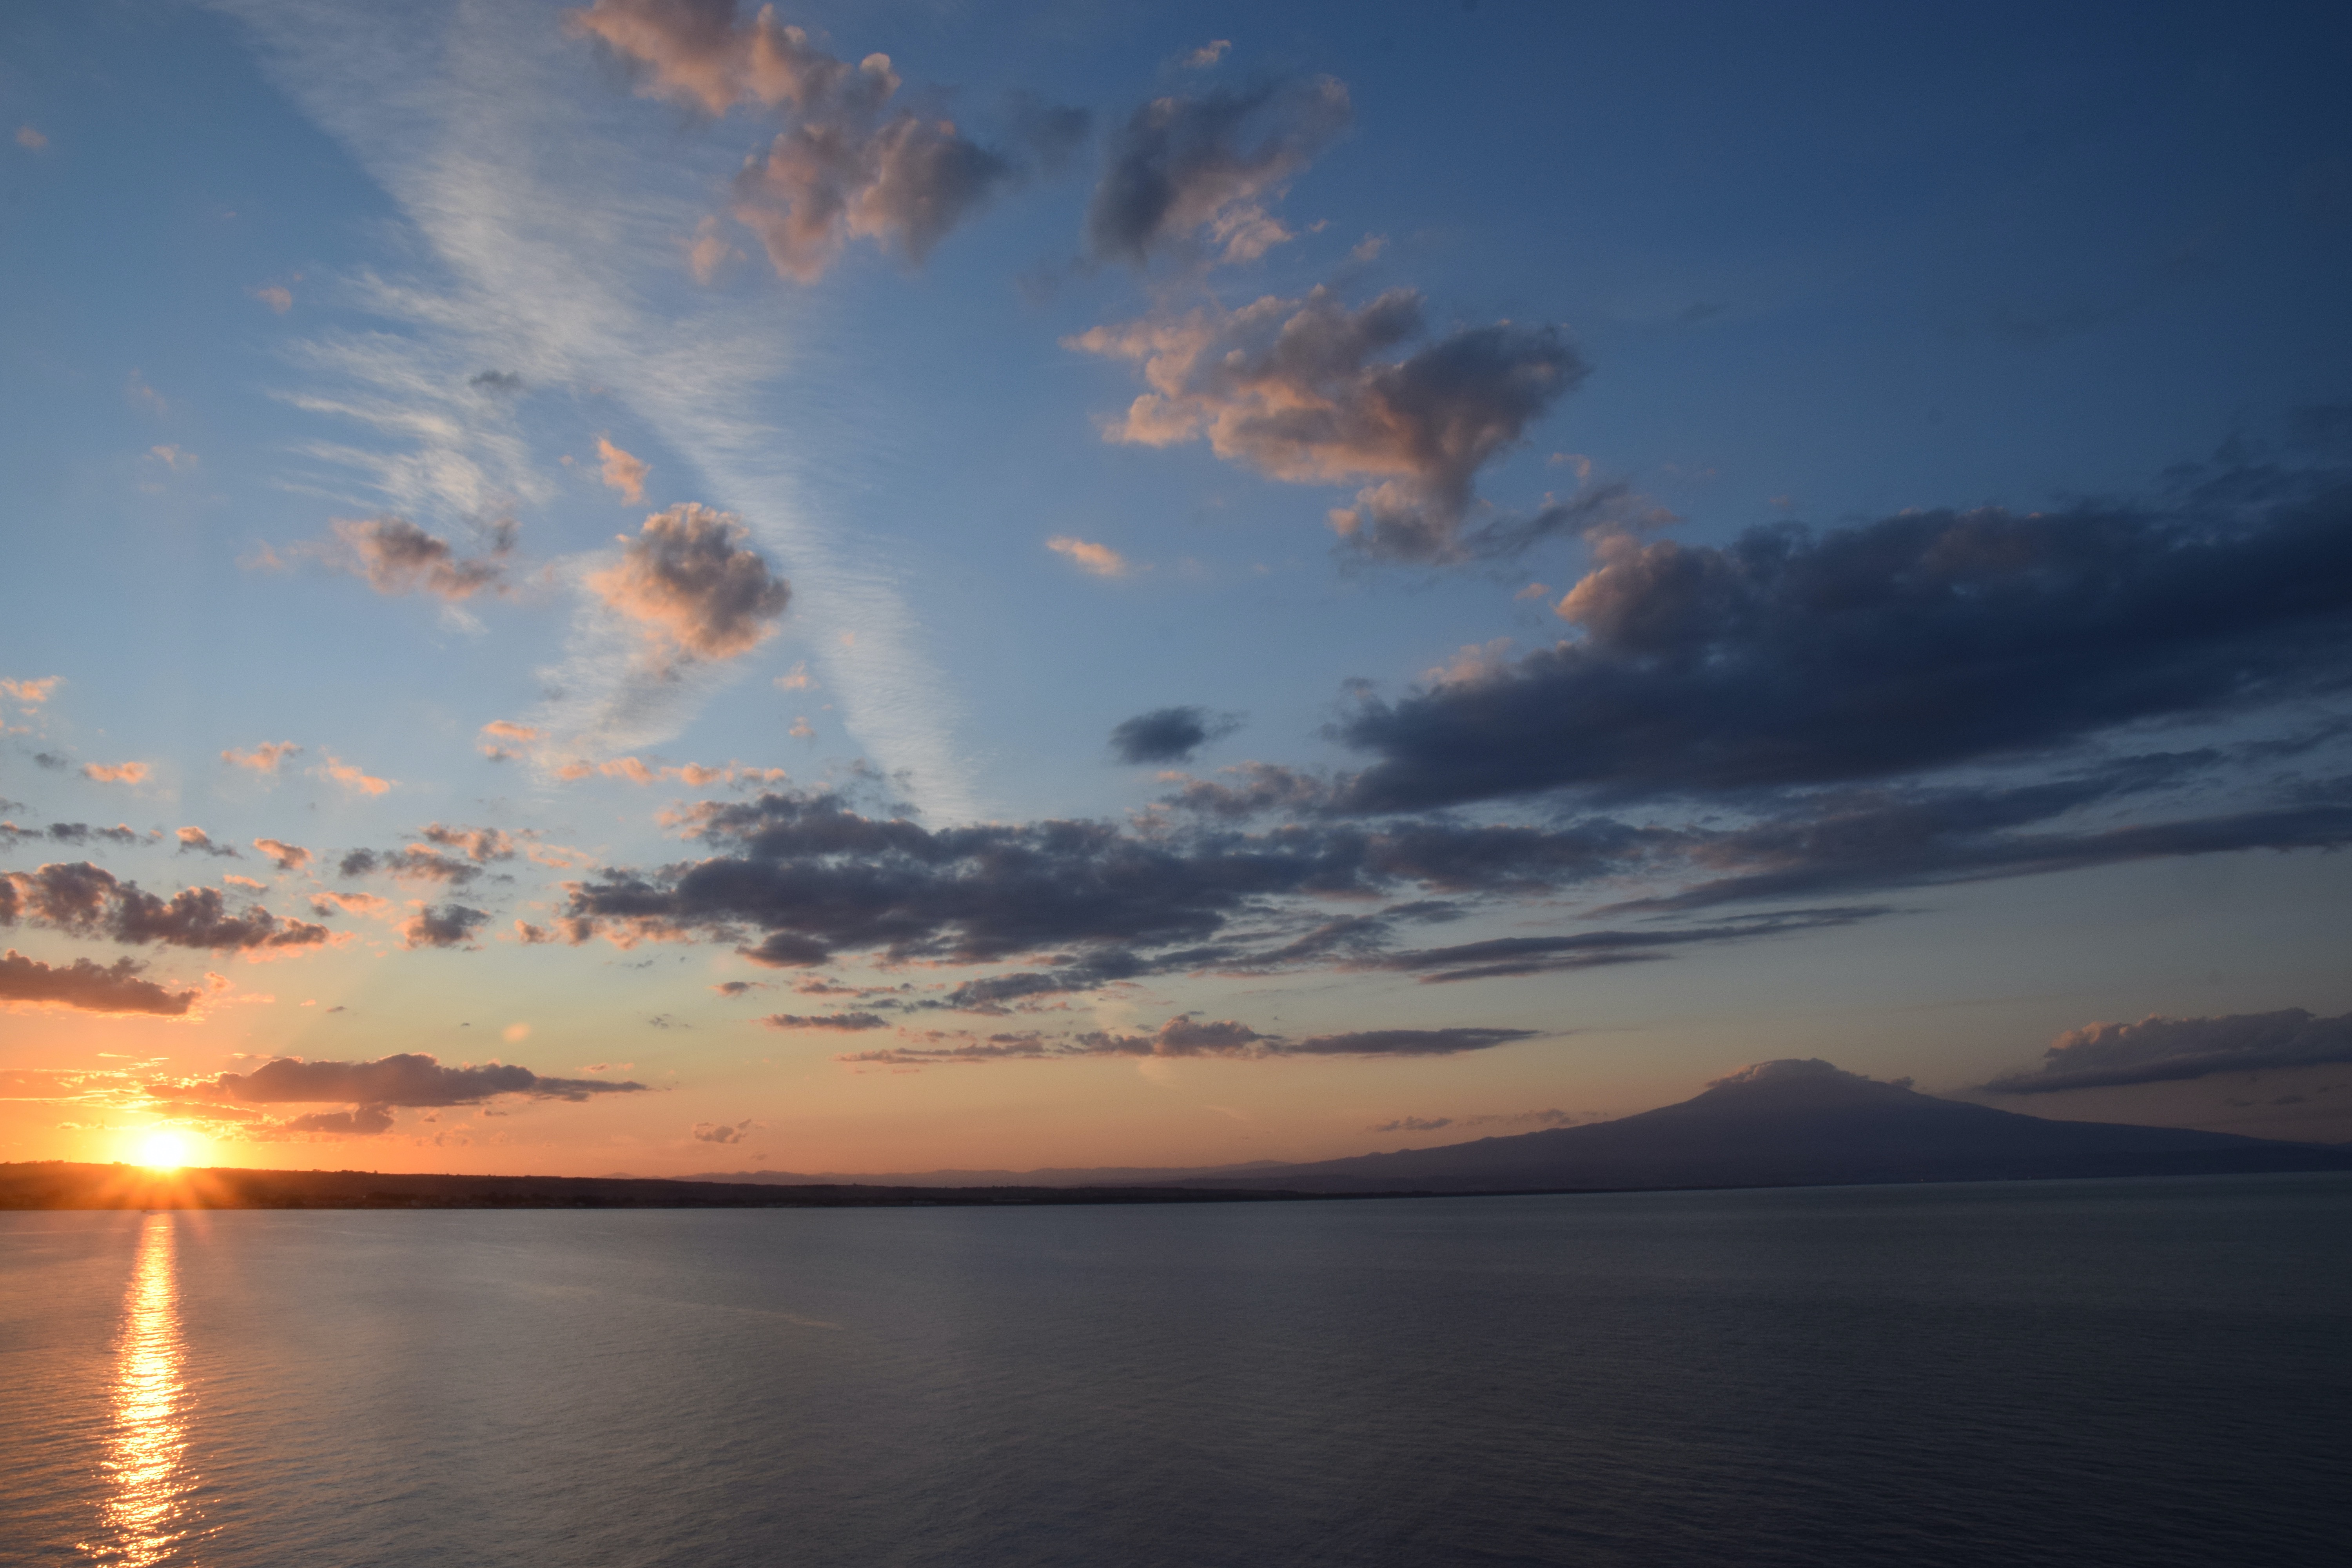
(669, 587)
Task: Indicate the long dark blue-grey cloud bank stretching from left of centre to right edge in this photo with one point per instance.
(1791, 716)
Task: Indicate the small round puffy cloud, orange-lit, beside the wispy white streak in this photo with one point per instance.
(695, 582)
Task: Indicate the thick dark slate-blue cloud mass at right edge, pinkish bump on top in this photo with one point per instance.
(1925, 641)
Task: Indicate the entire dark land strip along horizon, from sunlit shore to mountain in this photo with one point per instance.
(1777, 1125)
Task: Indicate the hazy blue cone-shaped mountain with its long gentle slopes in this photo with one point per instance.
(1777, 1125)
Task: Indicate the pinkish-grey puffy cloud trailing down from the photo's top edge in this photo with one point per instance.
(848, 166)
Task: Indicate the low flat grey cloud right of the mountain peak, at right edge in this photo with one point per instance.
(2172, 1050)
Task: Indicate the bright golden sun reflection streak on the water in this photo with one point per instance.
(149, 1508)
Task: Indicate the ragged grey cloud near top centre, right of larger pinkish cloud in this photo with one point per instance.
(1210, 163)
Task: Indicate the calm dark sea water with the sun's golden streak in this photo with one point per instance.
(2144, 1374)
